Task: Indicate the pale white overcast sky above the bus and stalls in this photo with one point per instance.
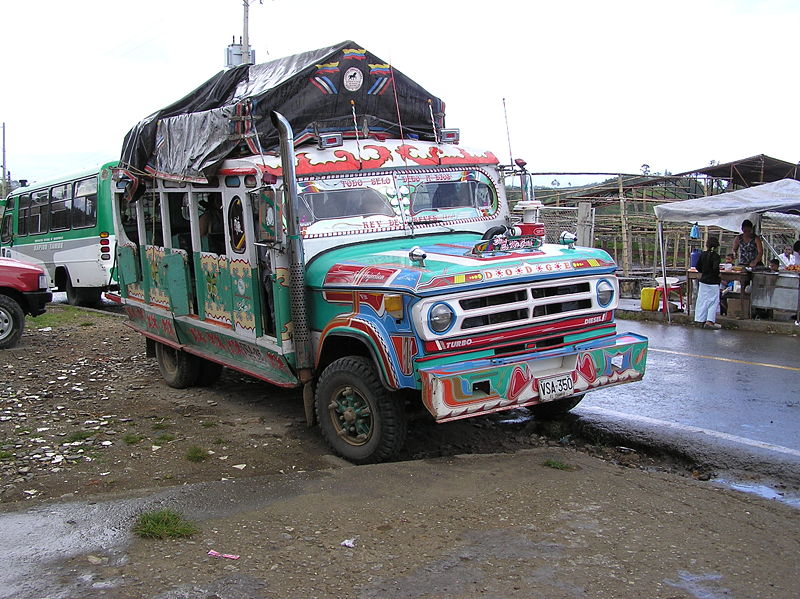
(589, 86)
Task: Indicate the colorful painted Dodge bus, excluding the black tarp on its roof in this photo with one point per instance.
(370, 275)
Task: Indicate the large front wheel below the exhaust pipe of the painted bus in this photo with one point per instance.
(358, 417)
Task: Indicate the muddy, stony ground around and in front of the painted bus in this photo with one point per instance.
(85, 415)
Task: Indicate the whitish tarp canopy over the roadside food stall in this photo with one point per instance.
(728, 210)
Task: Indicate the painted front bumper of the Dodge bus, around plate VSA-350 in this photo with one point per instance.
(488, 385)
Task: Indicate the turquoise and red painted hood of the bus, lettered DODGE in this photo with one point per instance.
(449, 265)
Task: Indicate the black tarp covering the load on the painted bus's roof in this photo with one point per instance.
(313, 90)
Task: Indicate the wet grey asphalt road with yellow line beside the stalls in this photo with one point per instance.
(734, 388)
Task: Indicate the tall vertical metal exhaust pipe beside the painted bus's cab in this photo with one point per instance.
(297, 280)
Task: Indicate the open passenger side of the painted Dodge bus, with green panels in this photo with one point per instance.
(194, 278)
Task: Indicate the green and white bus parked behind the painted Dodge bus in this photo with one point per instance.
(66, 227)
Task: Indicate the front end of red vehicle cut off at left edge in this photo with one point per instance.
(23, 290)
